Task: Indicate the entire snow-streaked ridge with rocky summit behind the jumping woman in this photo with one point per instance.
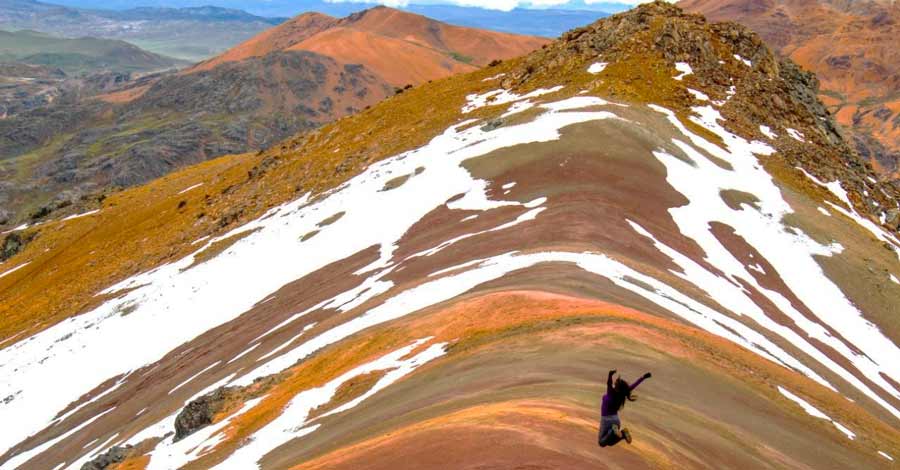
(448, 287)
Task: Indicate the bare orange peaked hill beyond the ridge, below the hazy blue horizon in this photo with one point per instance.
(401, 47)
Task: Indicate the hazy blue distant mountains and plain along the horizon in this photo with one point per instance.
(195, 32)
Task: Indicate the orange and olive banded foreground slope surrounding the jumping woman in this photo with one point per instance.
(544, 415)
